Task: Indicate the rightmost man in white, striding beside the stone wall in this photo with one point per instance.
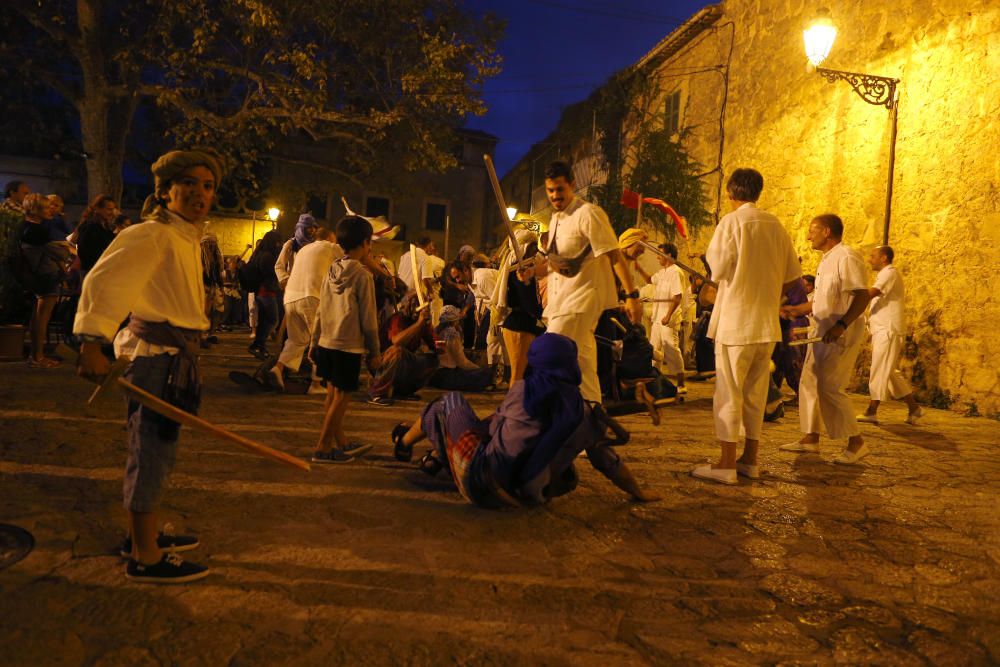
(887, 324)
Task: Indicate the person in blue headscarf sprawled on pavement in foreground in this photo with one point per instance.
(523, 454)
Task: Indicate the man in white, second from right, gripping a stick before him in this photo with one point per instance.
(839, 301)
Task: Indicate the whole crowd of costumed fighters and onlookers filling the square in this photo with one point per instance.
(567, 323)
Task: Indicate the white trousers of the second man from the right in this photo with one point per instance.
(825, 374)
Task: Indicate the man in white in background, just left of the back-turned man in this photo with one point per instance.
(668, 315)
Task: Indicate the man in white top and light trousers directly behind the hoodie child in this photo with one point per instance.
(302, 299)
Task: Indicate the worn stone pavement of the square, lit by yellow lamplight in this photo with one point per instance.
(893, 562)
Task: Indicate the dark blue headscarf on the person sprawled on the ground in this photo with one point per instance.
(552, 396)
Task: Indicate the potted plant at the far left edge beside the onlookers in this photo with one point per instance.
(13, 312)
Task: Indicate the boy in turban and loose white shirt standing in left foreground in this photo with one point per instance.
(154, 272)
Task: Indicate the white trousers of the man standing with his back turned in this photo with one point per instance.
(741, 373)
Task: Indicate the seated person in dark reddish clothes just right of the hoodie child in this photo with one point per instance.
(405, 369)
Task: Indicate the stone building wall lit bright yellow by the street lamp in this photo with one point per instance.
(734, 84)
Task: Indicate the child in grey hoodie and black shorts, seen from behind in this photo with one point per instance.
(346, 329)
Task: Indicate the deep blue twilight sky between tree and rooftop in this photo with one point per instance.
(557, 51)
